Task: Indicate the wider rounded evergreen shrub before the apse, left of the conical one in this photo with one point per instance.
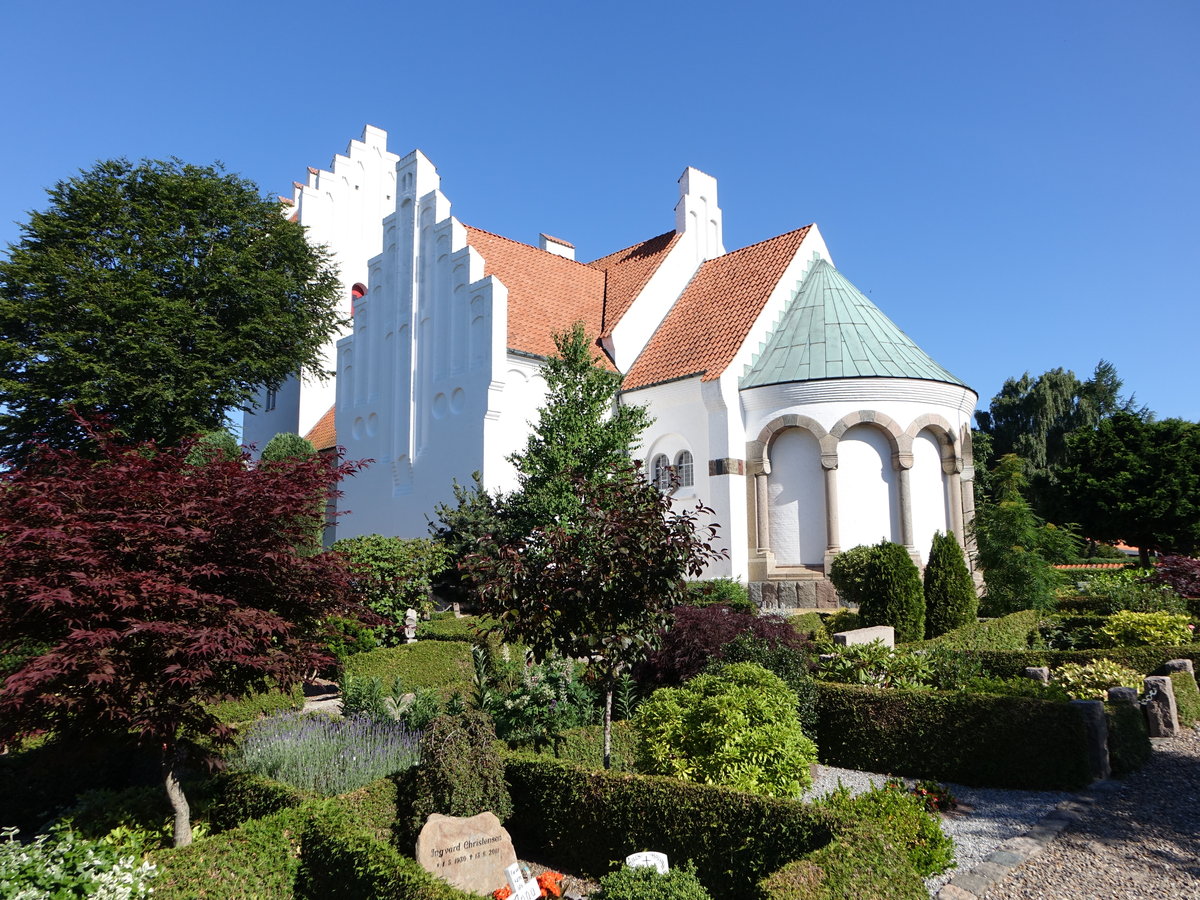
(886, 585)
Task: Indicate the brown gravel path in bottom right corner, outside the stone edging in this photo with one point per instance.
(1141, 843)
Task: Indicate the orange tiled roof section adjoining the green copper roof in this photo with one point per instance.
(716, 313)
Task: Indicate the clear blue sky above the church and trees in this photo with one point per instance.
(1015, 184)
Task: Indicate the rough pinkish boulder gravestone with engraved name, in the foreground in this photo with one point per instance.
(471, 854)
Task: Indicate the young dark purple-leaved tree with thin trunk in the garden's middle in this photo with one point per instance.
(602, 586)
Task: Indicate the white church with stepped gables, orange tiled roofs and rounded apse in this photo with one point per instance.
(784, 399)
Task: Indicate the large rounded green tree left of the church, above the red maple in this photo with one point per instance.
(159, 296)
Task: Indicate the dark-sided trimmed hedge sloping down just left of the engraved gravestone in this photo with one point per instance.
(339, 859)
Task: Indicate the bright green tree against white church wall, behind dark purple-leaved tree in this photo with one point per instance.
(583, 430)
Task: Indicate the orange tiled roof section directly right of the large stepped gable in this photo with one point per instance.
(548, 293)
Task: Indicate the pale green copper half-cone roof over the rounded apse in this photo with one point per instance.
(831, 331)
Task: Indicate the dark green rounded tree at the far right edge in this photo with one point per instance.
(1137, 482)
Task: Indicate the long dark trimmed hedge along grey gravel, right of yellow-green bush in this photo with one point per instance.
(969, 739)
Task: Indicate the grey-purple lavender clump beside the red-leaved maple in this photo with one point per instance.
(332, 757)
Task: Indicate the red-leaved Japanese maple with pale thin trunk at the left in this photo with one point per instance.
(136, 589)
